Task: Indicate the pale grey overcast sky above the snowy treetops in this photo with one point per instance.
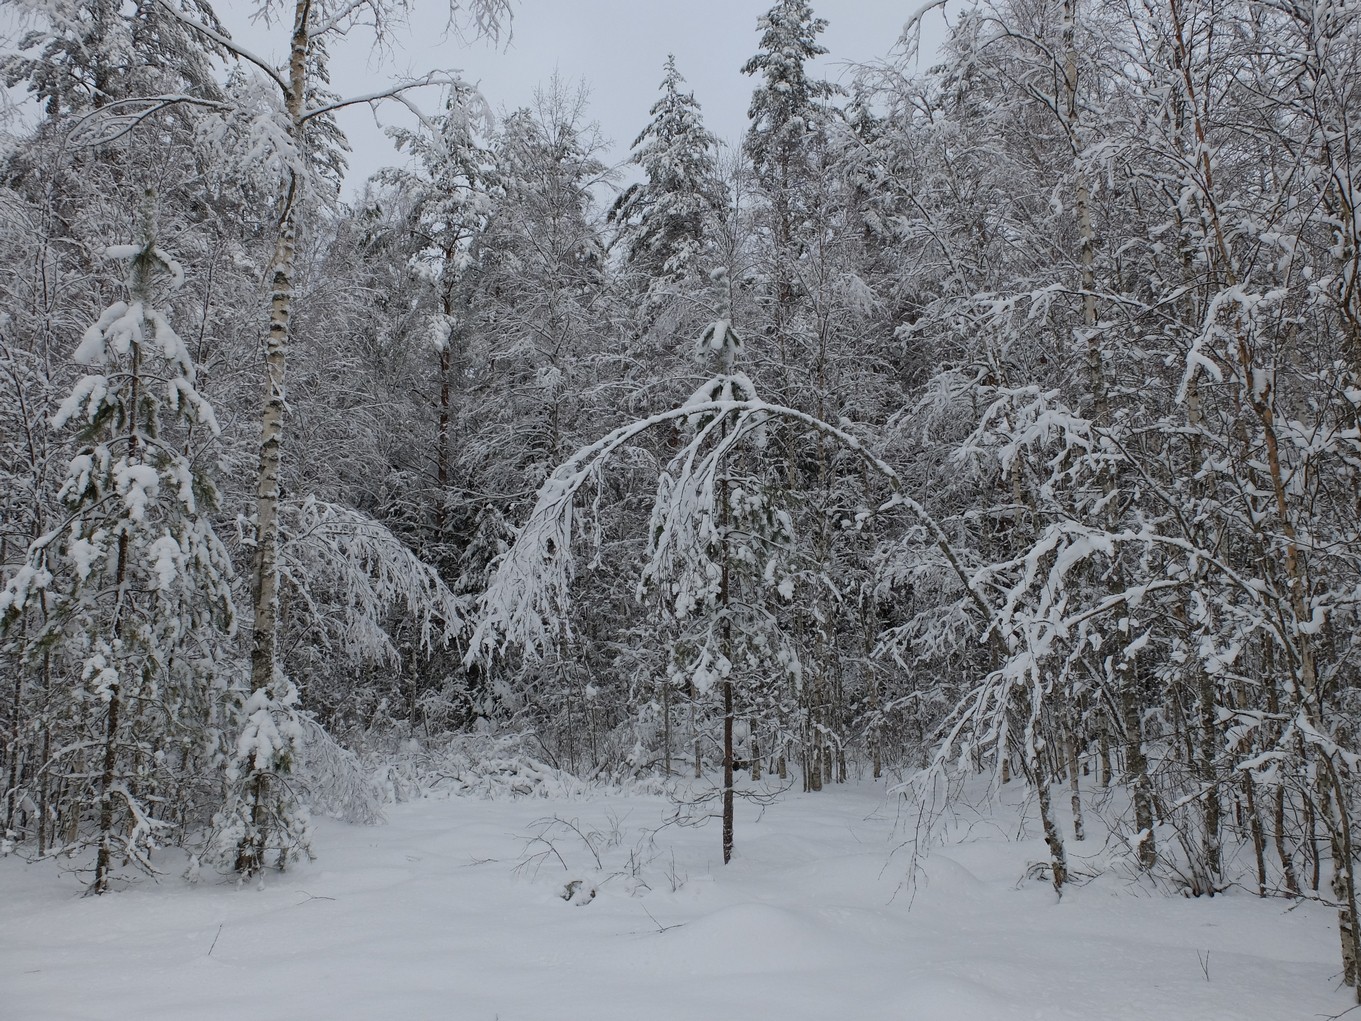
(616, 47)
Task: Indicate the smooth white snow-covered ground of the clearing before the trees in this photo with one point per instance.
(454, 910)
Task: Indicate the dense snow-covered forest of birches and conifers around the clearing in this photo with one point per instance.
(983, 428)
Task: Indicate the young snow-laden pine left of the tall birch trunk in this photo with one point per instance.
(129, 600)
